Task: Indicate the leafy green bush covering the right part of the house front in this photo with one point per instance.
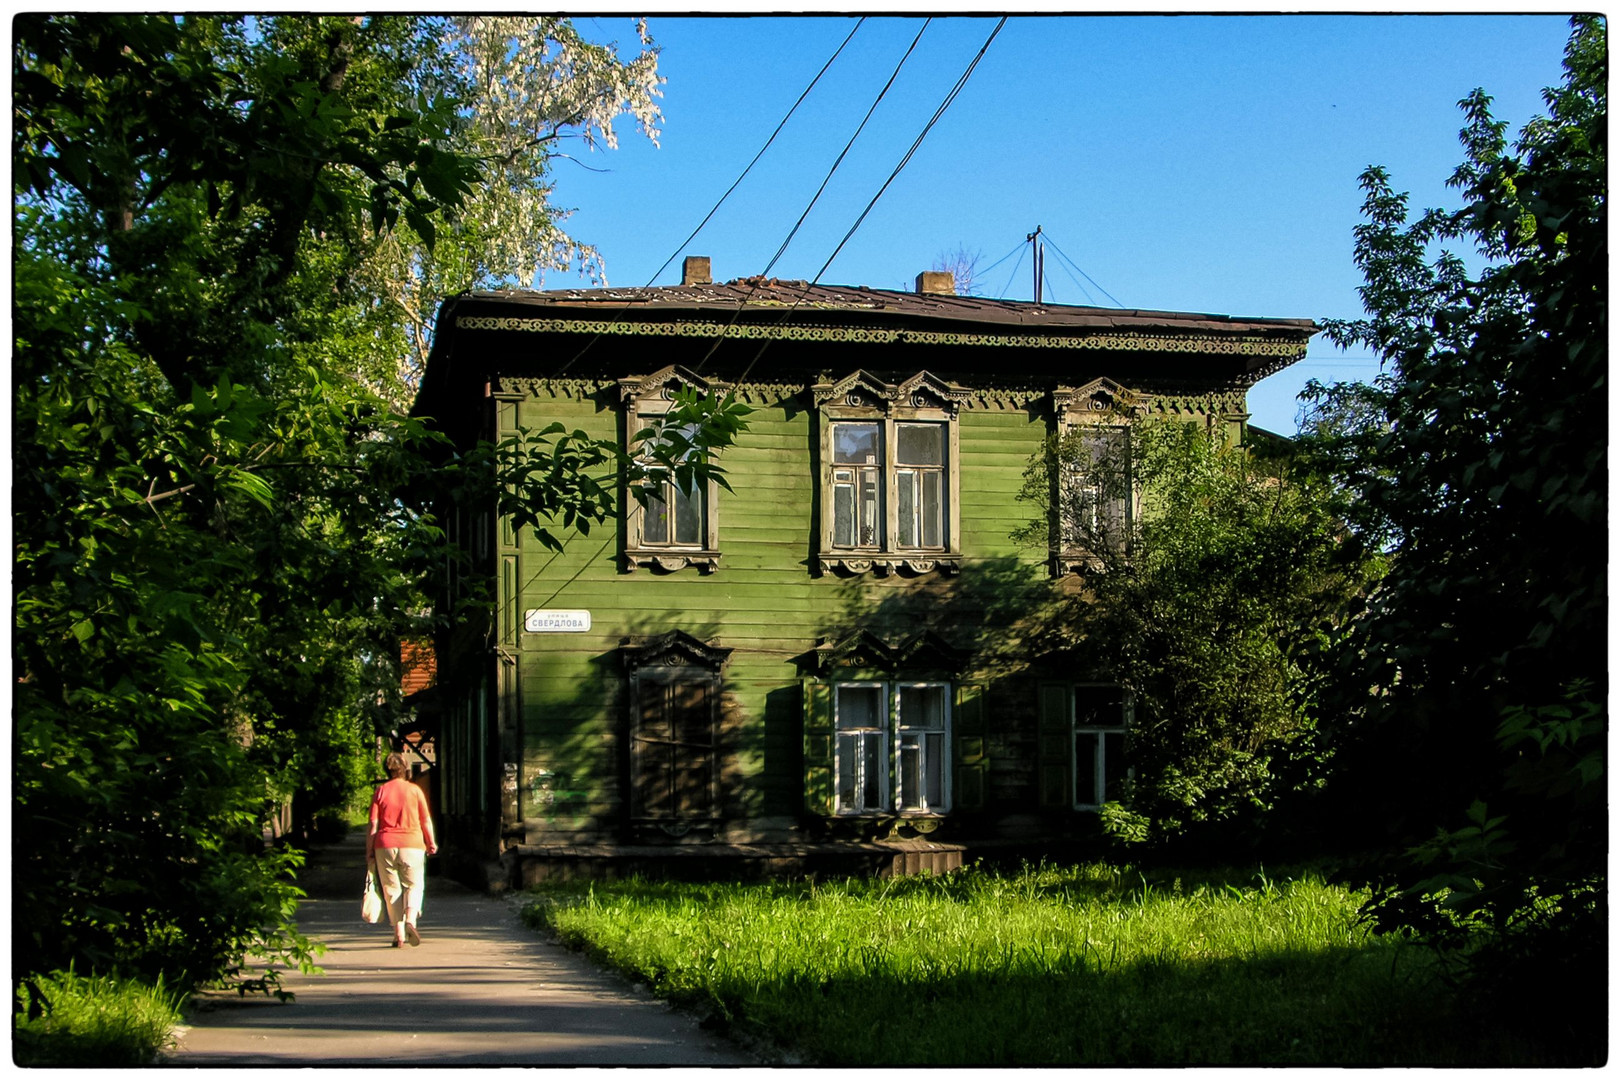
(1213, 580)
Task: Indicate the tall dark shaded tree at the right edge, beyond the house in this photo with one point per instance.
(1480, 461)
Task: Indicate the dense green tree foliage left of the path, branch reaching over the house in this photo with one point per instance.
(221, 532)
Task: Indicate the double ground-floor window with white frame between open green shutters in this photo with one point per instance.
(892, 747)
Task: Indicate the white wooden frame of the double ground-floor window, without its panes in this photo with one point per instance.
(892, 736)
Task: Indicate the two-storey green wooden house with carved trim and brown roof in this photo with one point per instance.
(804, 673)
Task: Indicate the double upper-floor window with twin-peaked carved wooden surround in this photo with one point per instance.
(890, 475)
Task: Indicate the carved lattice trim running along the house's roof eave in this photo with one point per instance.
(1117, 341)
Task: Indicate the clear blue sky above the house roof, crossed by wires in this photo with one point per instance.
(1182, 163)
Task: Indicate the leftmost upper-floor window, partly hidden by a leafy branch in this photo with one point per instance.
(675, 527)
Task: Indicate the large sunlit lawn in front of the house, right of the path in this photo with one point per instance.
(1046, 967)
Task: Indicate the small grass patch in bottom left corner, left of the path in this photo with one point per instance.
(95, 1021)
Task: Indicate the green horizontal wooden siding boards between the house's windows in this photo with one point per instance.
(767, 606)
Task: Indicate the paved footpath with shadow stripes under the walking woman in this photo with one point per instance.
(480, 990)
